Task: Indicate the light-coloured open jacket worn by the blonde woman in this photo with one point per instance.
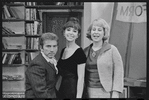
(110, 68)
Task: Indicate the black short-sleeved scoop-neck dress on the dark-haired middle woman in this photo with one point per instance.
(68, 70)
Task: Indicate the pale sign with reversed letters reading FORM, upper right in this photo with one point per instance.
(131, 12)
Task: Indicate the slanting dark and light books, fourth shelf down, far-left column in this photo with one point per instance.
(11, 58)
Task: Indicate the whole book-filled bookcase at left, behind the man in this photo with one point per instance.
(20, 40)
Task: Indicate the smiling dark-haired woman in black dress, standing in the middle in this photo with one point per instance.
(71, 63)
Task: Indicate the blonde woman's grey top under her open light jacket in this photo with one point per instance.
(91, 73)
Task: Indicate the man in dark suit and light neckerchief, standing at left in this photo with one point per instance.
(41, 74)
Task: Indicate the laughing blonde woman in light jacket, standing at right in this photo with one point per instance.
(104, 67)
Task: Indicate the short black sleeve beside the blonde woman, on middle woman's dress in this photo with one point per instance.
(80, 57)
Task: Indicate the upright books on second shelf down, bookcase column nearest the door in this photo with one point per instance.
(33, 28)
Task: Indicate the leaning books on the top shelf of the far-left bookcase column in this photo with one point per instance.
(12, 12)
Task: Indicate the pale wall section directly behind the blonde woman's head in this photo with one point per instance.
(93, 10)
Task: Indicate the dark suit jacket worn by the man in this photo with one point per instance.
(40, 79)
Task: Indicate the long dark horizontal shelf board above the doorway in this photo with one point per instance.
(59, 7)
